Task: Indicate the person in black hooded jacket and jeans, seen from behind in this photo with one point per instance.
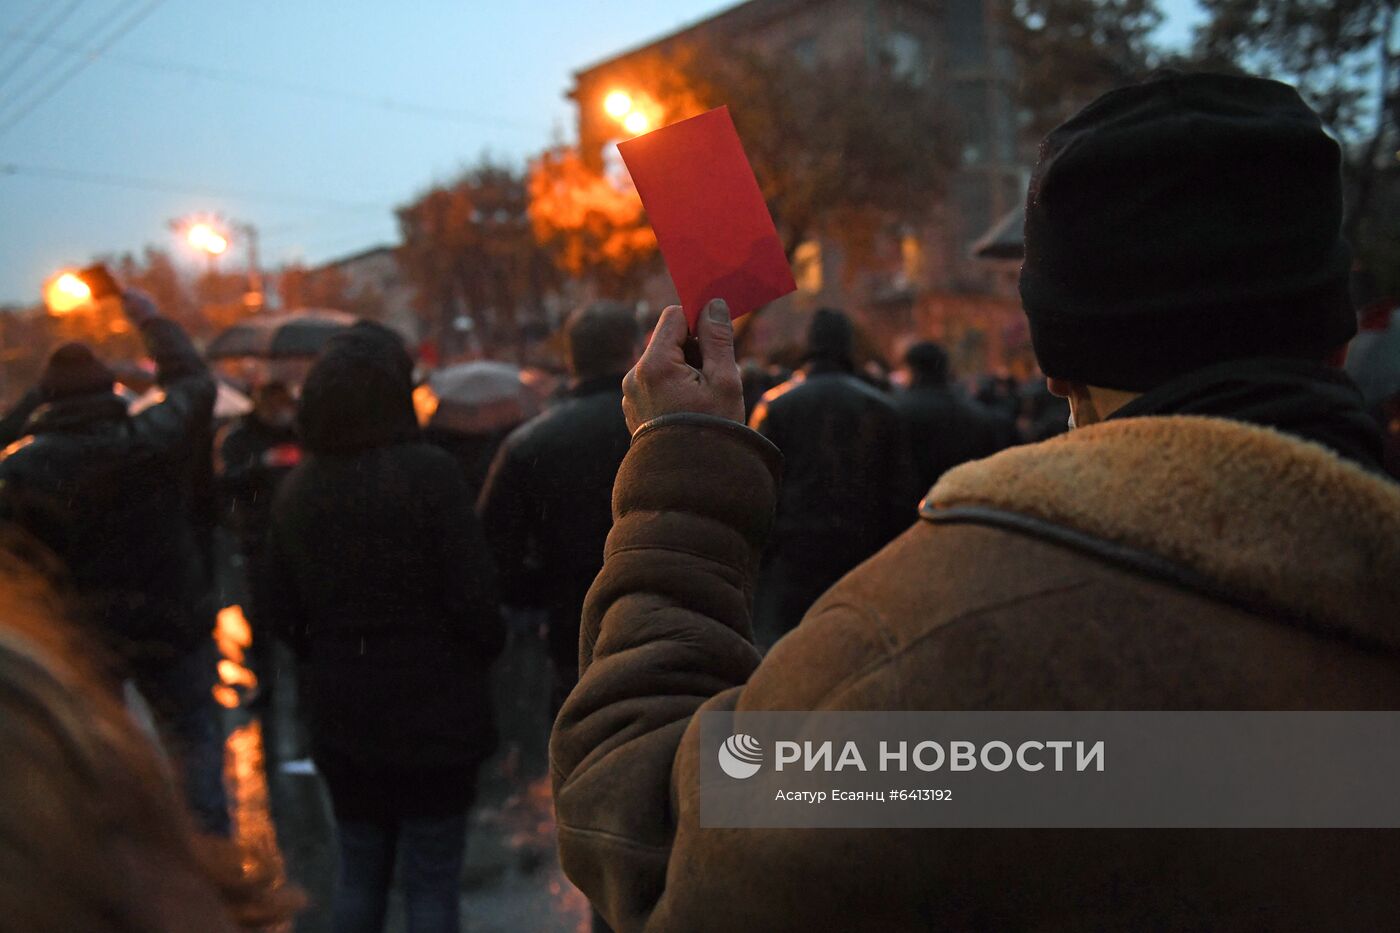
(377, 575)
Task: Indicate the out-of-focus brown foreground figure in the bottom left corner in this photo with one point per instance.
(94, 836)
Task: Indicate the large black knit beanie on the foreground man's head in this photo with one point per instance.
(1186, 221)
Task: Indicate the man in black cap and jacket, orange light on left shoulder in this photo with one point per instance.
(848, 481)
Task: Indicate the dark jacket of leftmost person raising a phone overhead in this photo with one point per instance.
(108, 494)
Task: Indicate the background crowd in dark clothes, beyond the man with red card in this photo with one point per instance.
(372, 555)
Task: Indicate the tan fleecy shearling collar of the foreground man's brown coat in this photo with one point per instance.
(1263, 518)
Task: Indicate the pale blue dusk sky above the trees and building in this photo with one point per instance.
(309, 118)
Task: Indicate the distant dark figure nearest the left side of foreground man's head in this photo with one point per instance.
(944, 428)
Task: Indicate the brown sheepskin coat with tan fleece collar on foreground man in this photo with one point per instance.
(1174, 562)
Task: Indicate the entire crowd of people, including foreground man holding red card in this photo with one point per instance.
(1219, 534)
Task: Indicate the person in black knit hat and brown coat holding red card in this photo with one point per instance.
(1214, 534)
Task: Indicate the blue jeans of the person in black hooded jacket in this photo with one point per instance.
(432, 872)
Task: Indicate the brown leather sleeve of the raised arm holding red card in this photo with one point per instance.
(666, 628)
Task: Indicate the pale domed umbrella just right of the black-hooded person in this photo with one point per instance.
(478, 399)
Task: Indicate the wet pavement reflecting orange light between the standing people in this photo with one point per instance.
(512, 880)
